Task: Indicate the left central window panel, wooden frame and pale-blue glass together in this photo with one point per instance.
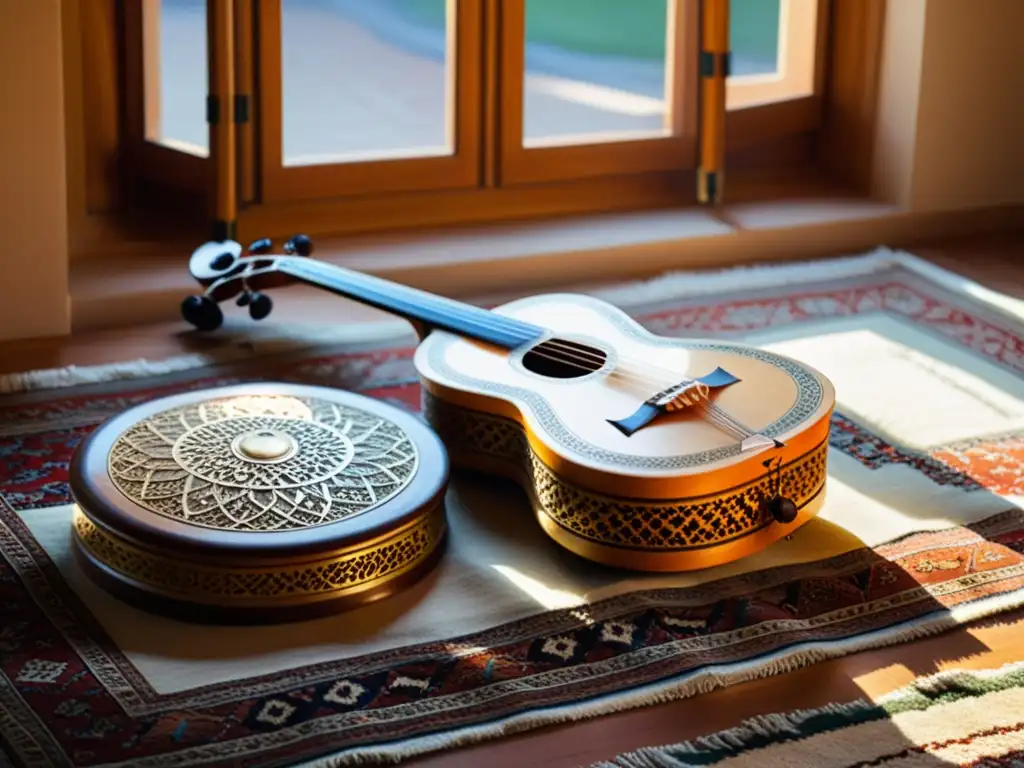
(359, 98)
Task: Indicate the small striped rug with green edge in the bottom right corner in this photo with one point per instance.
(957, 718)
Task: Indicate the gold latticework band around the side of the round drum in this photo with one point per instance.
(212, 584)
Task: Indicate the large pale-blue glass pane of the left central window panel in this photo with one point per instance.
(365, 80)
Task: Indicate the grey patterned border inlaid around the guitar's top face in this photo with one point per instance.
(808, 401)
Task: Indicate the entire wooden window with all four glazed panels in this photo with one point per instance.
(346, 115)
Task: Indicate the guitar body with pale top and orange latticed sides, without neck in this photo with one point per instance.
(678, 494)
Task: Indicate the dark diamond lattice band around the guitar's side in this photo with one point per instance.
(671, 526)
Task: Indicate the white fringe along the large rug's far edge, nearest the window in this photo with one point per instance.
(664, 288)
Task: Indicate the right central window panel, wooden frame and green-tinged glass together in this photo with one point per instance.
(596, 89)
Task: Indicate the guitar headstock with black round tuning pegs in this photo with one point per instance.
(228, 271)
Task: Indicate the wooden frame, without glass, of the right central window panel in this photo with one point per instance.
(558, 162)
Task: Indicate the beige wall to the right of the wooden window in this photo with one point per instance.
(951, 126)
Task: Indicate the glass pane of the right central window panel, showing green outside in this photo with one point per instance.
(595, 71)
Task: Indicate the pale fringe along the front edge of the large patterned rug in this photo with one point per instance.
(700, 682)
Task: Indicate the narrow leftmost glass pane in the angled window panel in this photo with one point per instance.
(175, 41)
